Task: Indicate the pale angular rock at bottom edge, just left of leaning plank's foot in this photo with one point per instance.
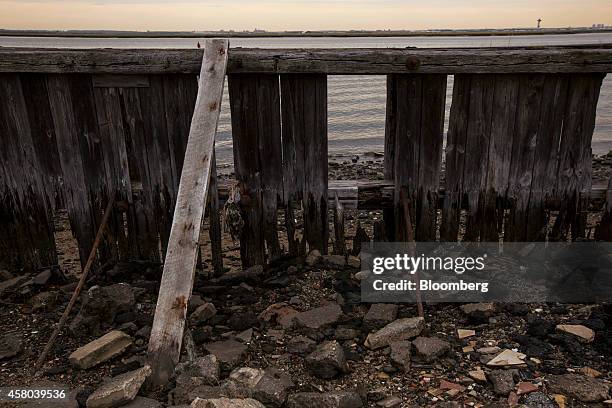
(119, 390)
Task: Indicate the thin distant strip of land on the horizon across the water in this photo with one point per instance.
(300, 34)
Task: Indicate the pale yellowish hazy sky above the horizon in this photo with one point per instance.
(201, 15)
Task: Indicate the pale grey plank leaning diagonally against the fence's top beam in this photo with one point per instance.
(179, 266)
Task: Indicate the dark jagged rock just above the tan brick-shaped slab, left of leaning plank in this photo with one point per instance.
(100, 307)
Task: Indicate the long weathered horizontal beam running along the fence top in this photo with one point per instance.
(323, 61)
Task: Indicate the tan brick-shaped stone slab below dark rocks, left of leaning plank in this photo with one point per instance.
(100, 350)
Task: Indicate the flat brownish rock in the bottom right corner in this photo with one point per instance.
(582, 388)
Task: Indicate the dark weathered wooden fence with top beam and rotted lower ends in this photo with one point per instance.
(78, 124)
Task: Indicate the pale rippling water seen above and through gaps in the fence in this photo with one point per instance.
(356, 104)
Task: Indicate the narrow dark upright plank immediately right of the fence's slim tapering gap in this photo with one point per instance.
(455, 158)
